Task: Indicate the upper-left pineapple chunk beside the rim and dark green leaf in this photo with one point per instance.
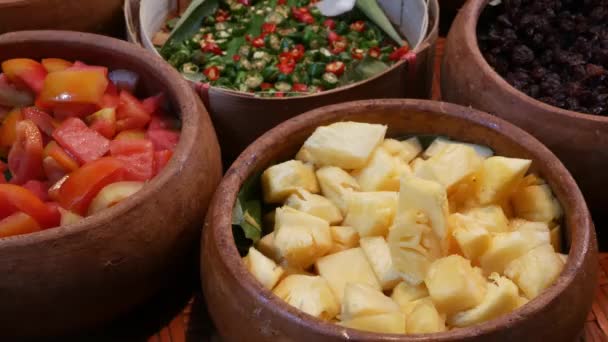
(281, 180)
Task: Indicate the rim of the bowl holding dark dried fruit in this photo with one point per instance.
(472, 12)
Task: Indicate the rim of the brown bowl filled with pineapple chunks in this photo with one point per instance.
(246, 164)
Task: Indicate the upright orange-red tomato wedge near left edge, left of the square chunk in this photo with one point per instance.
(25, 157)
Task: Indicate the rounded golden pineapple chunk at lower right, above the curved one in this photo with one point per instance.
(454, 285)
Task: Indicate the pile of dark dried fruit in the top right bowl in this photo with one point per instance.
(553, 50)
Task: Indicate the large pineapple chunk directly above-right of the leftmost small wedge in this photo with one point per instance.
(300, 238)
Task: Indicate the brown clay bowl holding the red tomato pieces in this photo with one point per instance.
(78, 276)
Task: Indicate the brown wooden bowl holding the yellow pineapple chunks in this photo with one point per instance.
(244, 311)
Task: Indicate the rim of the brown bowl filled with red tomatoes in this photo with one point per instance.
(179, 94)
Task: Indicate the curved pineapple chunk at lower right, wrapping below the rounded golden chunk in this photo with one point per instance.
(501, 297)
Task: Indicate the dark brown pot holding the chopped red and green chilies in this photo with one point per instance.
(241, 118)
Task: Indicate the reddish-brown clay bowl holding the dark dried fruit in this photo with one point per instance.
(579, 140)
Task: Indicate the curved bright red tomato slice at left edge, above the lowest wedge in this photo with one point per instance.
(14, 198)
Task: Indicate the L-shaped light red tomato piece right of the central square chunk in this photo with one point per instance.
(137, 156)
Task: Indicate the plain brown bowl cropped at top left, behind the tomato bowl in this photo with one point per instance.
(74, 15)
